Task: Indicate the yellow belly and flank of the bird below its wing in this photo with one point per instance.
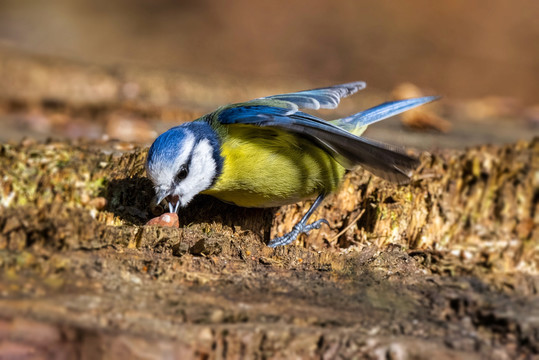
(267, 167)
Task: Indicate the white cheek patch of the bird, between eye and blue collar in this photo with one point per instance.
(202, 171)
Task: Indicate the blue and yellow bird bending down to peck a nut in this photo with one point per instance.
(267, 153)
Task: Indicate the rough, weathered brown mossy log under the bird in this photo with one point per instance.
(445, 266)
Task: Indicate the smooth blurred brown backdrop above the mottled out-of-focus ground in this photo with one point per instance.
(460, 48)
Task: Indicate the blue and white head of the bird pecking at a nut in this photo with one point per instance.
(184, 161)
